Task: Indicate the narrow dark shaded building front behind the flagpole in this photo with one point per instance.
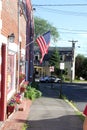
(29, 42)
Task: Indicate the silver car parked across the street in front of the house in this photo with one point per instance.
(50, 79)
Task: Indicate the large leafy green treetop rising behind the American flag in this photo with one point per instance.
(42, 26)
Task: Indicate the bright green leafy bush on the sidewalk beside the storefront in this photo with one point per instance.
(32, 93)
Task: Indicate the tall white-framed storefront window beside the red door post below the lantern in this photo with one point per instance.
(10, 76)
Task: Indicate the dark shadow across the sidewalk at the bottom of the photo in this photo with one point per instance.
(70, 122)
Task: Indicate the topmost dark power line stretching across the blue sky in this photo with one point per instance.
(60, 4)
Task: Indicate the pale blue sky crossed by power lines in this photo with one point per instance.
(70, 21)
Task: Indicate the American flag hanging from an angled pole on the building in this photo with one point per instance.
(43, 42)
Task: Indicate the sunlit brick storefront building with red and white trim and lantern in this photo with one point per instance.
(13, 20)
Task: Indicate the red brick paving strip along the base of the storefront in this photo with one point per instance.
(18, 118)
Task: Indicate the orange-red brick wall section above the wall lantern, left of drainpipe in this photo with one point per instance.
(9, 18)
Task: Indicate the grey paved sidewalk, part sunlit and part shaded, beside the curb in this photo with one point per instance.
(48, 113)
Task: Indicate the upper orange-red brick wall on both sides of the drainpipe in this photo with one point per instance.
(10, 20)
